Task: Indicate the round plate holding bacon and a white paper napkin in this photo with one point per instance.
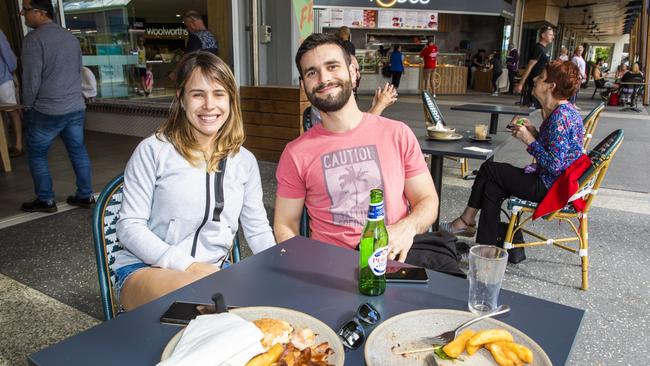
(297, 319)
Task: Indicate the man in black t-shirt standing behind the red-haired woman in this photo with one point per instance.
(536, 64)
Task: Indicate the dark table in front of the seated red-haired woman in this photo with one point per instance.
(439, 149)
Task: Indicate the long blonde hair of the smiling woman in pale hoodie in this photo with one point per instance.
(180, 132)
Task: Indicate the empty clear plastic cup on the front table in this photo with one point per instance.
(487, 265)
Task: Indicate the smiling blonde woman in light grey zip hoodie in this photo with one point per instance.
(187, 187)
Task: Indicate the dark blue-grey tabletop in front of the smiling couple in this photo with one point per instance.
(318, 279)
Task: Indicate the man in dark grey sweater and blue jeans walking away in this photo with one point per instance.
(54, 105)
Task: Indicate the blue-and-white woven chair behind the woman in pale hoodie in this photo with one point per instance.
(105, 216)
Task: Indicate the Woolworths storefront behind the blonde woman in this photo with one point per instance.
(108, 32)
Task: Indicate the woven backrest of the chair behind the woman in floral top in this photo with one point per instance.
(600, 156)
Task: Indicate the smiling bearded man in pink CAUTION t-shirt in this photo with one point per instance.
(333, 166)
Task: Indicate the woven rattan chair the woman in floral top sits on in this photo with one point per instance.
(521, 211)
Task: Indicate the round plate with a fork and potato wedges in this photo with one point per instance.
(402, 332)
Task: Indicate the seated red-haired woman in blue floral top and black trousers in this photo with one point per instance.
(555, 146)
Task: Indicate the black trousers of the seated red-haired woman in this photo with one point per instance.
(494, 183)
